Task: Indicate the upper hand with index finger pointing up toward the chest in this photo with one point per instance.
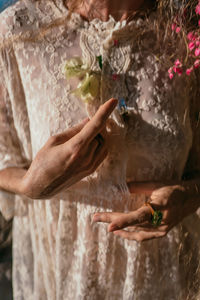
(68, 157)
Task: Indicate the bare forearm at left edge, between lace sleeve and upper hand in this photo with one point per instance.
(11, 180)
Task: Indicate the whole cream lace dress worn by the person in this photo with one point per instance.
(58, 253)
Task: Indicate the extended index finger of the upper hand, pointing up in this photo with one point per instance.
(97, 123)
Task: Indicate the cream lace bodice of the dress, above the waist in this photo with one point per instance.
(154, 142)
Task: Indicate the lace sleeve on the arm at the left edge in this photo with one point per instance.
(14, 130)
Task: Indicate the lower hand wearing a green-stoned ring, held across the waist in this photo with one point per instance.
(173, 201)
